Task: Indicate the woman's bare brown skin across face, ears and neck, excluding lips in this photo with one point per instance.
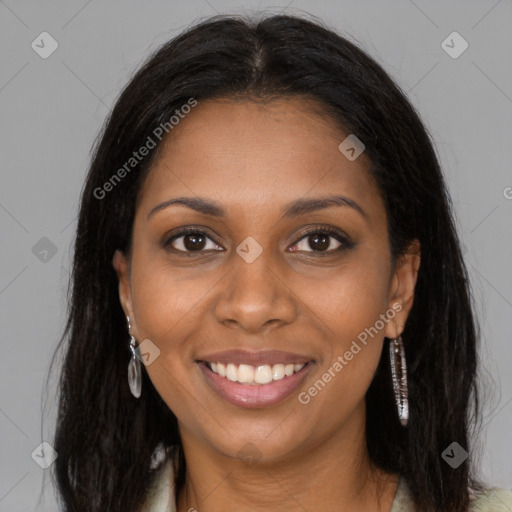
(254, 159)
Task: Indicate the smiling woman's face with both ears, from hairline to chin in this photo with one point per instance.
(262, 289)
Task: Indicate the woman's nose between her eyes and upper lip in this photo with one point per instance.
(255, 296)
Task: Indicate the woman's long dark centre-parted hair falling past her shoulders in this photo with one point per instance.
(105, 439)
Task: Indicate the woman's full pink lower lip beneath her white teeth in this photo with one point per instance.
(252, 396)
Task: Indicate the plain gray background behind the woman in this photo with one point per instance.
(52, 109)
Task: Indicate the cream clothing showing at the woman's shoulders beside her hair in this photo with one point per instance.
(162, 498)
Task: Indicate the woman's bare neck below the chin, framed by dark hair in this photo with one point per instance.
(336, 474)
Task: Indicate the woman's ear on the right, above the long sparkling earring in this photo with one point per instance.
(401, 292)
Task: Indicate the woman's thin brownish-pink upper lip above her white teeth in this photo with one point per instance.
(255, 358)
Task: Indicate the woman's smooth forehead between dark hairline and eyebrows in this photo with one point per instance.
(249, 155)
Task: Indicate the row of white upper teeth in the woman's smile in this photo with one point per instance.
(248, 374)
